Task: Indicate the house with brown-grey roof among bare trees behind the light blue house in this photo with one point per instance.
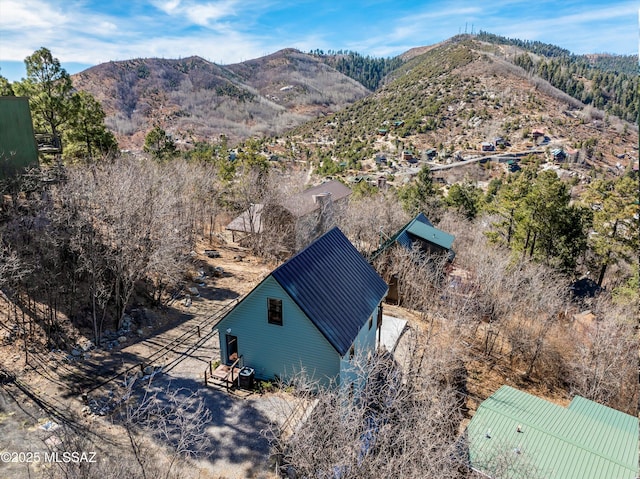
(300, 218)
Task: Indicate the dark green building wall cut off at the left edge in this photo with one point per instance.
(18, 149)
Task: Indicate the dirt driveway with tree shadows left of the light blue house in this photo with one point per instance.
(238, 430)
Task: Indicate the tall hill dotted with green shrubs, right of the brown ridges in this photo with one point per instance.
(451, 98)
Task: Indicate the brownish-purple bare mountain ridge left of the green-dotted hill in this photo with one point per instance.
(194, 100)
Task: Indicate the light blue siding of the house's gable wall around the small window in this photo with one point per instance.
(274, 350)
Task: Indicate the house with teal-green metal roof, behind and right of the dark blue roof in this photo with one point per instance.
(418, 234)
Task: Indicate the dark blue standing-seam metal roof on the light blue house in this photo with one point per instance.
(334, 286)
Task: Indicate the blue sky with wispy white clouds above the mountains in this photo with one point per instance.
(82, 33)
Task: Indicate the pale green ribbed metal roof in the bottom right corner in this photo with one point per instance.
(516, 435)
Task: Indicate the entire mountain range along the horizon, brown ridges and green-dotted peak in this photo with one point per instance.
(451, 95)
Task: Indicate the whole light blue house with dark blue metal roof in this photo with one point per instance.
(314, 314)
